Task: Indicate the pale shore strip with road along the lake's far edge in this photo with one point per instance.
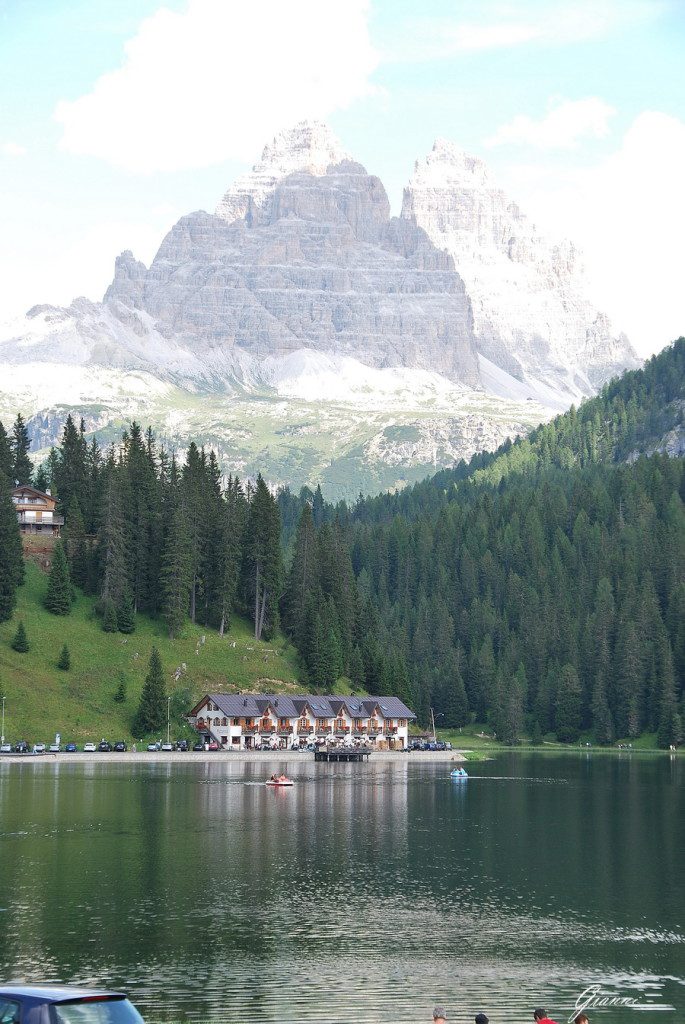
(235, 757)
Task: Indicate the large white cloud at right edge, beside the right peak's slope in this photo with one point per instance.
(627, 215)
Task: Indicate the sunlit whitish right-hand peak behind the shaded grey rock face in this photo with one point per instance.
(532, 319)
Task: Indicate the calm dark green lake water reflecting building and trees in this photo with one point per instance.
(363, 894)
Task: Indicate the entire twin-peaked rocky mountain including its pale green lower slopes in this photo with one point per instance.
(304, 330)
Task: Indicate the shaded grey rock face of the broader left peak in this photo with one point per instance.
(316, 262)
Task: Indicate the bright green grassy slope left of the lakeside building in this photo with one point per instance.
(79, 704)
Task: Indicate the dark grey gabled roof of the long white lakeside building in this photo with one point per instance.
(322, 706)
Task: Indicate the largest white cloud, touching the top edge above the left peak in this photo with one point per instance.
(216, 81)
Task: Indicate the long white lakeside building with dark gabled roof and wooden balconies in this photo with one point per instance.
(248, 721)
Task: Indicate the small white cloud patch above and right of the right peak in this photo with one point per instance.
(566, 123)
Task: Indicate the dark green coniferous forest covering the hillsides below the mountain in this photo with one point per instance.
(538, 590)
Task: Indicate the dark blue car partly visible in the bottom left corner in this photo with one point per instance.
(64, 1005)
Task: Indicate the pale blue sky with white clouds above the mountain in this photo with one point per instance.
(120, 116)
